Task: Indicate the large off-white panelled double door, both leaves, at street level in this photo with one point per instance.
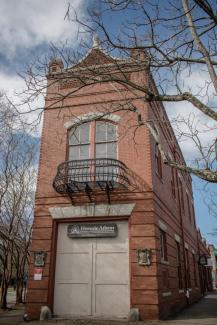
(92, 275)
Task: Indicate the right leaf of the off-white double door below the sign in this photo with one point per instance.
(111, 294)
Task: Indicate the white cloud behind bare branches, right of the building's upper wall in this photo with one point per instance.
(197, 82)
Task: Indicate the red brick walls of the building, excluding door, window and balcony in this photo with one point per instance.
(161, 203)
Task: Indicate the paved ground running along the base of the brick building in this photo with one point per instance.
(202, 313)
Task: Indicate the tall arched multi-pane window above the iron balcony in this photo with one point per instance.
(90, 140)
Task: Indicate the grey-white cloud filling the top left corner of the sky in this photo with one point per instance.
(28, 23)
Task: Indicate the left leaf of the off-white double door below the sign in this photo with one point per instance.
(73, 275)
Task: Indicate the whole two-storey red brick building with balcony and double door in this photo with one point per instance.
(116, 227)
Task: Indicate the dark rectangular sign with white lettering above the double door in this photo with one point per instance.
(77, 230)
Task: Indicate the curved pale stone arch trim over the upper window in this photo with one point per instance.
(92, 116)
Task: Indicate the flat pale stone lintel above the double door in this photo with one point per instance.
(92, 210)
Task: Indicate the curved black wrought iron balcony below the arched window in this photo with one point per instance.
(89, 175)
